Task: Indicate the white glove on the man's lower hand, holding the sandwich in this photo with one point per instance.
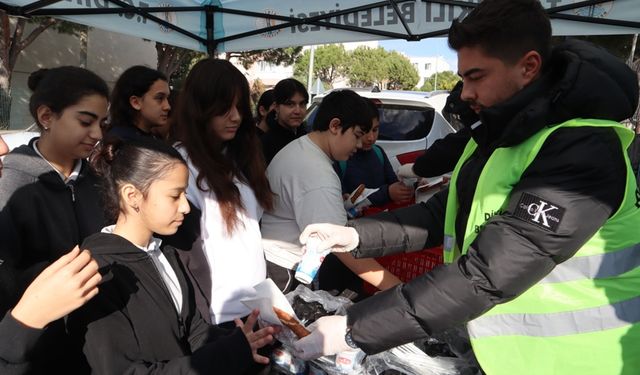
(326, 339)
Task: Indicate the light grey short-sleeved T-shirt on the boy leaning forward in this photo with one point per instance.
(307, 190)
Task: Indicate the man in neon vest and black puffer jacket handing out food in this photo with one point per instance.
(540, 224)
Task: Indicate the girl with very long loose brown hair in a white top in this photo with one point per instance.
(227, 183)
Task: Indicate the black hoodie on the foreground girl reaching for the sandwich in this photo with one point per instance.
(132, 327)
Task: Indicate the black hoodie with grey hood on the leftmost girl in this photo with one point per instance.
(41, 219)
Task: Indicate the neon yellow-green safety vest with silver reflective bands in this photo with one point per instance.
(583, 317)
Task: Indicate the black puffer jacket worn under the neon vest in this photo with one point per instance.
(579, 169)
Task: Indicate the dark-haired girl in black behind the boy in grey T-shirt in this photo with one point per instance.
(286, 119)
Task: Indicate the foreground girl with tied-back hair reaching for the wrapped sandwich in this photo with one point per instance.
(144, 320)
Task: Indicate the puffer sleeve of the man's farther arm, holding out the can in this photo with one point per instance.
(406, 229)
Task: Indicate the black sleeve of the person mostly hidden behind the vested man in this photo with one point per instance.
(443, 154)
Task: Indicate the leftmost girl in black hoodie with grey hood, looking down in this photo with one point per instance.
(48, 197)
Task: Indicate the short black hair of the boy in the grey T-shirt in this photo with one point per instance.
(347, 106)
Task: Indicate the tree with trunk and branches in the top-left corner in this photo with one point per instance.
(14, 39)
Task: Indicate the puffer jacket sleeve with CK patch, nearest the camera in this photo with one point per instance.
(510, 254)
